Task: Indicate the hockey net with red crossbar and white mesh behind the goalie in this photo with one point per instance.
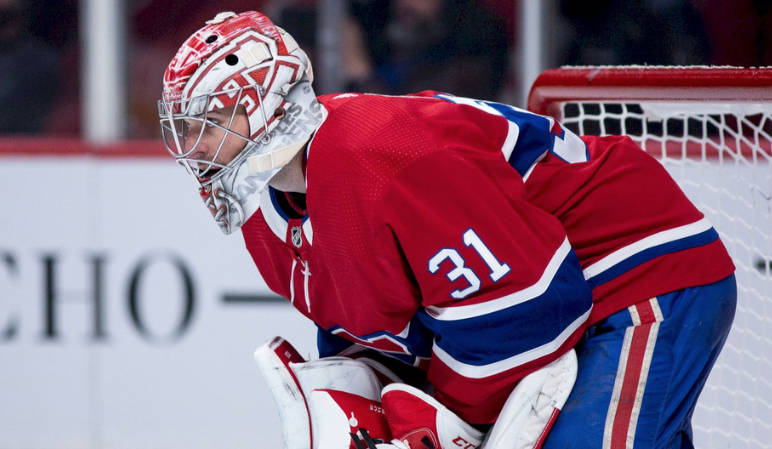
(711, 127)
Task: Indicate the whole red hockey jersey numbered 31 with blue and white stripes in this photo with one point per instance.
(437, 230)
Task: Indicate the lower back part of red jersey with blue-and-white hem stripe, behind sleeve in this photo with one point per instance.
(635, 232)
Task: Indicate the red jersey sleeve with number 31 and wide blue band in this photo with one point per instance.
(501, 289)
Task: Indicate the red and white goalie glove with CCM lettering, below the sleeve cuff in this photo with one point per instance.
(419, 421)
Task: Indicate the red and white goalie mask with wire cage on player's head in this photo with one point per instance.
(237, 106)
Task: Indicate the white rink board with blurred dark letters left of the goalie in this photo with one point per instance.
(77, 384)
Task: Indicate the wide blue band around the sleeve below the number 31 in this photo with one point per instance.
(527, 327)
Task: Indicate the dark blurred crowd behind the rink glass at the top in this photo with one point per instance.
(465, 47)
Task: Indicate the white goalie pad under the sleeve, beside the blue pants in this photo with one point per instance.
(533, 406)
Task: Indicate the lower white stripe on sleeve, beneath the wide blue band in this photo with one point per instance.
(479, 372)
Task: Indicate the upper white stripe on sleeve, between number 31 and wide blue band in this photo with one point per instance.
(513, 299)
